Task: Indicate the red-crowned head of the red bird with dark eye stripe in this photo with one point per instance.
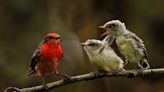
(52, 37)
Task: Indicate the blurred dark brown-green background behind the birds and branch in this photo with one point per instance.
(23, 23)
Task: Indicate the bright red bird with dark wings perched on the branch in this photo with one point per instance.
(46, 57)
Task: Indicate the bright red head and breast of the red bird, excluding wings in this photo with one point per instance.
(51, 46)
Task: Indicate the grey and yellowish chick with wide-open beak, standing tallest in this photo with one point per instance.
(129, 44)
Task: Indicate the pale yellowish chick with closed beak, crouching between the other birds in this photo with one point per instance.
(103, 56)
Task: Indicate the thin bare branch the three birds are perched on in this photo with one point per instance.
(86, 77)
